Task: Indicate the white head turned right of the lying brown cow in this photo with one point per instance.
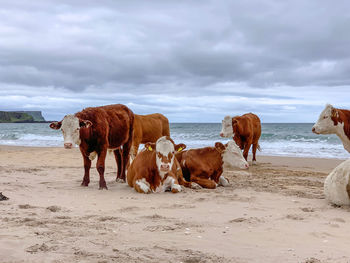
(231, 155)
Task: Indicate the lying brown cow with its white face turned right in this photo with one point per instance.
(205, 166)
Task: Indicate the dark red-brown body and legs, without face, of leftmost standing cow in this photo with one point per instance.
(112, 127)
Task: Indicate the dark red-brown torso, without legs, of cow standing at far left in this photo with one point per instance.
(111, 124)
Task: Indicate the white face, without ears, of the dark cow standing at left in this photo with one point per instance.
(70, 129)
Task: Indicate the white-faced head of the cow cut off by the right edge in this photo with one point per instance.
(327, 122)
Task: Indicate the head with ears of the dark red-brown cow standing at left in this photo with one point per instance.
(70, 127)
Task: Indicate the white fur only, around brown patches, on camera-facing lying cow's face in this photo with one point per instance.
(164, 147)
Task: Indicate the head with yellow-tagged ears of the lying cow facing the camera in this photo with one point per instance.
(165, 149)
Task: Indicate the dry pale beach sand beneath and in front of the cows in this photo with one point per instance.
(274, 212)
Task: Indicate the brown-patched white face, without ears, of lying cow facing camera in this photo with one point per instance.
(165, 155)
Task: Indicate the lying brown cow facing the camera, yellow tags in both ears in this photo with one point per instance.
(155, 168)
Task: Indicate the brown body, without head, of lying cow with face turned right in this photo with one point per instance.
(202, 166)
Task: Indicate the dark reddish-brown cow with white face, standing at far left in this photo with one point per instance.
(96, 130)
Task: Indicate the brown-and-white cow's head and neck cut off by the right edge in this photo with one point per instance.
(334, 121)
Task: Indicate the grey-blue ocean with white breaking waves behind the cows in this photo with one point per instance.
(277, 139)
